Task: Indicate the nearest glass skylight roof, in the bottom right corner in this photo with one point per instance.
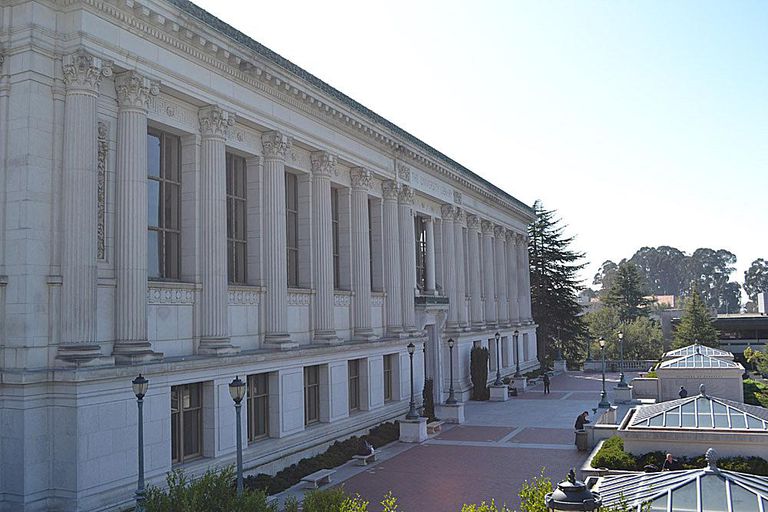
(696, 490)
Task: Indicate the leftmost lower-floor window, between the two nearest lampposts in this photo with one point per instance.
(186, 422)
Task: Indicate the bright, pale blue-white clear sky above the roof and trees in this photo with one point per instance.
(642, 123)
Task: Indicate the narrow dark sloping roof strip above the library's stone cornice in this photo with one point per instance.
(231, 32)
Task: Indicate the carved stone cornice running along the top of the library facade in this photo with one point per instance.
(239, 56)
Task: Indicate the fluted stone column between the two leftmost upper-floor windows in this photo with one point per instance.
(214, 321)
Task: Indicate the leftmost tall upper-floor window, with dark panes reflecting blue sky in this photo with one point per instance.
(163, 205)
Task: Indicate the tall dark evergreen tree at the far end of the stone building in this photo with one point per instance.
(555, 287)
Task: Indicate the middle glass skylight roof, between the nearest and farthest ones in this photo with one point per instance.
(701, 412)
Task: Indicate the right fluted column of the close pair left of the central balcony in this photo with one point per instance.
(407, 257)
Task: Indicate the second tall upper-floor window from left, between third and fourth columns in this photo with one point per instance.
(237, 238)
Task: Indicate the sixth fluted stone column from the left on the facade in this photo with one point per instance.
(361, 253)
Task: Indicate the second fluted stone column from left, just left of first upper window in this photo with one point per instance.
(131, 344)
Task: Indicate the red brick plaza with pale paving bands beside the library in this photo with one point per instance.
(500, 446)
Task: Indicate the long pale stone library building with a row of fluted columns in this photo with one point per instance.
(179, 201)
